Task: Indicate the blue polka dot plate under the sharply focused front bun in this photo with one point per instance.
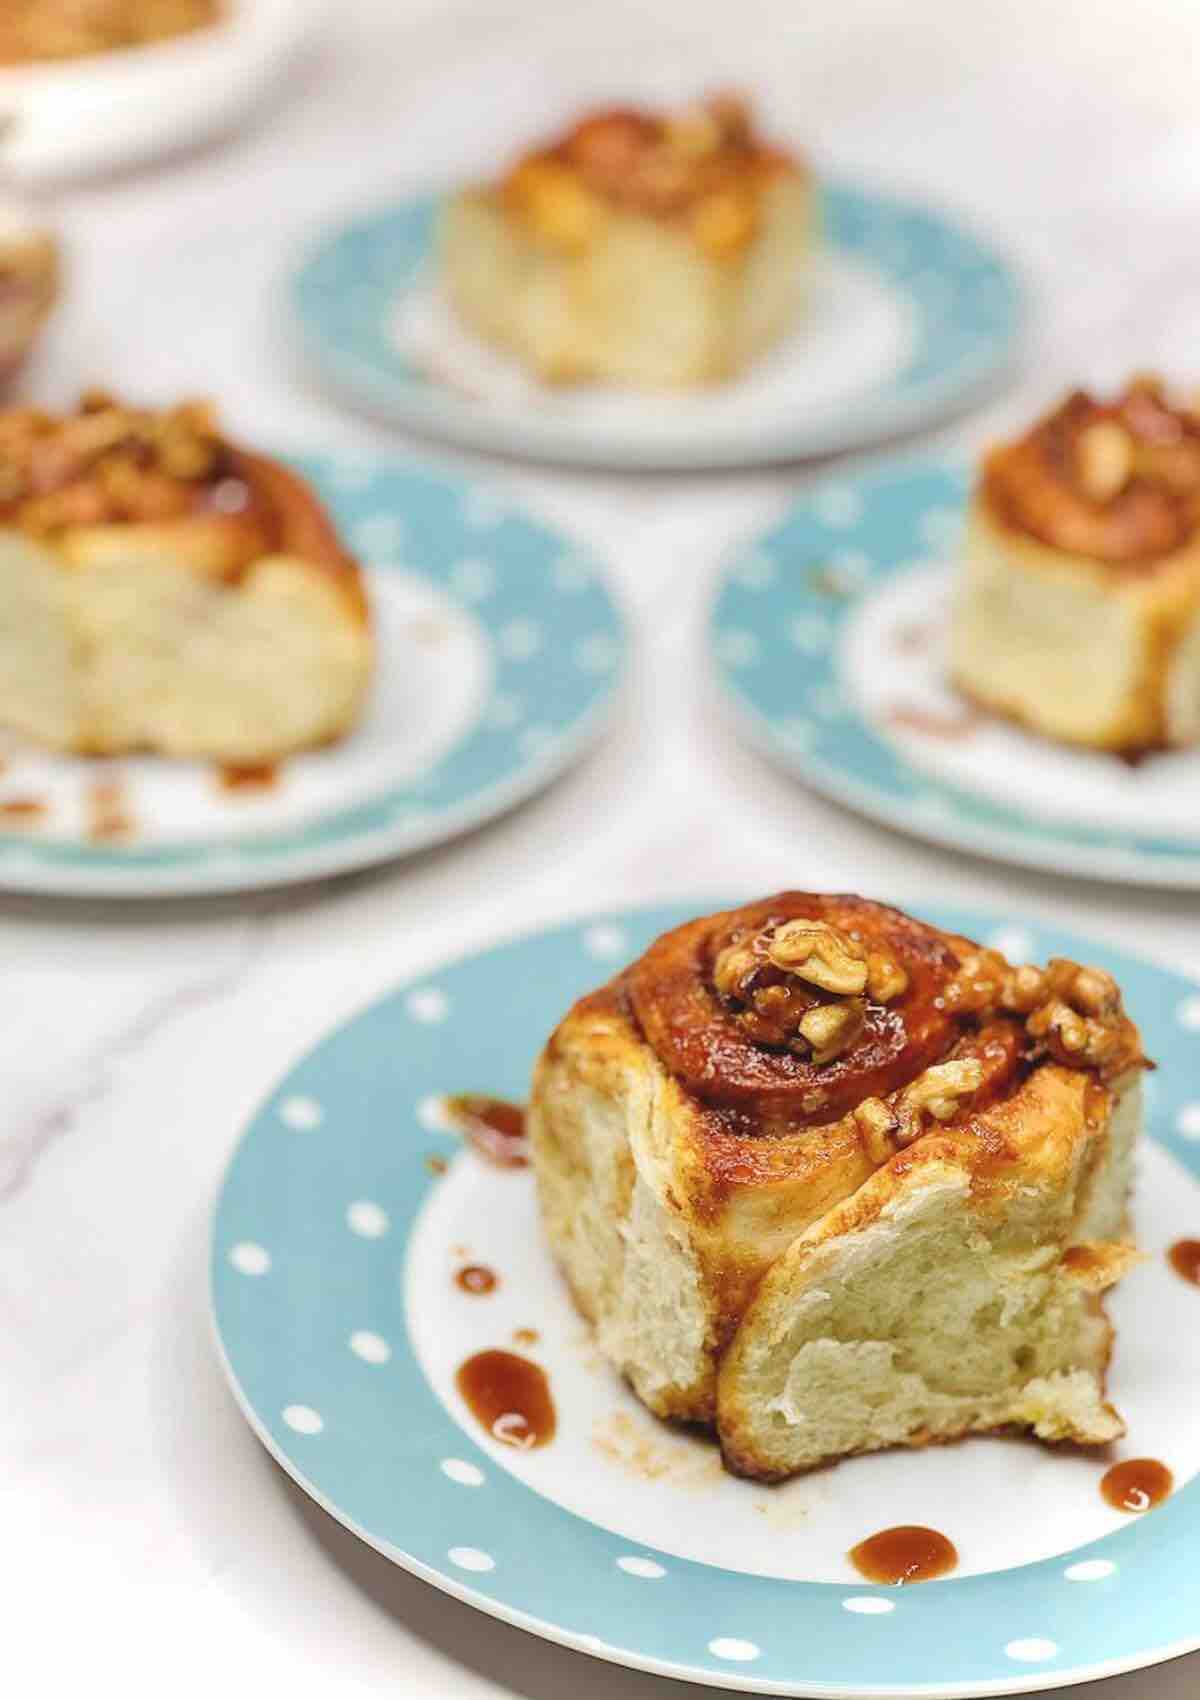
(346, 1220)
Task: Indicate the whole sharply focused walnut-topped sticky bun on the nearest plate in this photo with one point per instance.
(830, 1181)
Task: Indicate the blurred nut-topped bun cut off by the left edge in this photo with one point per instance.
(164, 591)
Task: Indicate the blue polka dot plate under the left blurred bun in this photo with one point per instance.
(501, 652)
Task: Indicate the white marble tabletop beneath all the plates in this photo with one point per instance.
(142, 1529)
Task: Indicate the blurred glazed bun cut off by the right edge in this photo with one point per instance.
(1080, 603)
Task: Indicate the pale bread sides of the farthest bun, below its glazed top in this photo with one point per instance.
(643, 305)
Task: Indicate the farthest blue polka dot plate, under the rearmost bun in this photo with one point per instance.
(910, 315)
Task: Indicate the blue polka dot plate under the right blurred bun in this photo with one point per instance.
(829, 640)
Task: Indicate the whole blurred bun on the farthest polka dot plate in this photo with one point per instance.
(640, 251)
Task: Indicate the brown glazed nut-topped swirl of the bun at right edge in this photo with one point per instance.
(1116, 482)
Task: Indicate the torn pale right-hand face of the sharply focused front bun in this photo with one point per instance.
(924, 1310)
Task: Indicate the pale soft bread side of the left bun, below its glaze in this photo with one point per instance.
(132, 649)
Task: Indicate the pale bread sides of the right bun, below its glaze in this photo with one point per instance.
(1075, 649)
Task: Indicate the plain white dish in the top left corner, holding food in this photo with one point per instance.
(111, 111)
